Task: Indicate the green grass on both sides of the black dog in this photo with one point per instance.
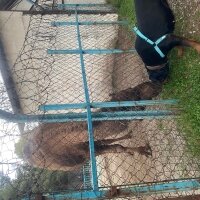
(184, 83)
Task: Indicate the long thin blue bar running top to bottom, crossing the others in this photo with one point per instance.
(89, 115)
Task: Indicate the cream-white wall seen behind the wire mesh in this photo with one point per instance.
(46, 80)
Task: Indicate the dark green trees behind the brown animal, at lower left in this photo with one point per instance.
(32, 180)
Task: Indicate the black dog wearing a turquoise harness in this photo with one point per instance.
(155, 38)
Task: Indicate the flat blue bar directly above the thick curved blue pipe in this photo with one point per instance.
(107, 104)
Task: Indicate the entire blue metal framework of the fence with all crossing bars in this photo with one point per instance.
(169, 186)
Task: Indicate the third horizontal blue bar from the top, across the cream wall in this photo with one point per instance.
(90, 51)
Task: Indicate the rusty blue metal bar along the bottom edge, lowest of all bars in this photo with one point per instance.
(142, 189)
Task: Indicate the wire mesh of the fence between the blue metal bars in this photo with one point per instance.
(45, 158)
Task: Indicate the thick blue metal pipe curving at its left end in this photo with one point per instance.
(119, 115)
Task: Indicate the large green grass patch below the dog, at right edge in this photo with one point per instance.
(184, 85)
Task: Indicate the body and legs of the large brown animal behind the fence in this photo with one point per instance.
(64, 146)
